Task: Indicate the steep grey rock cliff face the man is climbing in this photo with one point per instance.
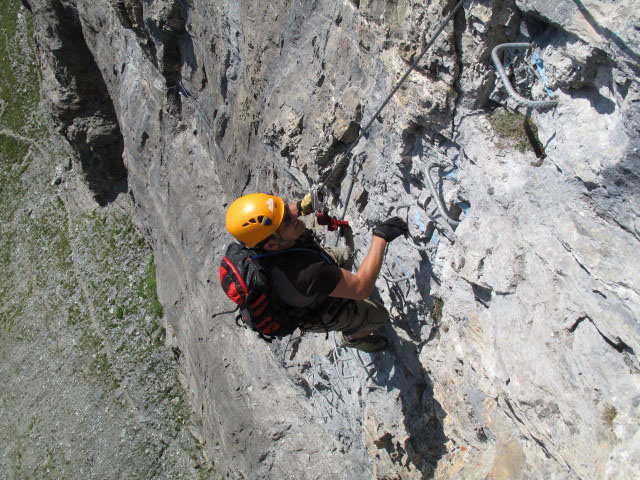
(515, 335)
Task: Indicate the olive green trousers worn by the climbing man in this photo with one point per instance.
(353, 315)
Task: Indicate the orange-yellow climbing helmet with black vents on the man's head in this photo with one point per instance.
(253, 217)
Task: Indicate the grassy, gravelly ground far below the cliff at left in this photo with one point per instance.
(89, 388)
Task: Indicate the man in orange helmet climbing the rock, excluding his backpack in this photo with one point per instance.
(336, 299)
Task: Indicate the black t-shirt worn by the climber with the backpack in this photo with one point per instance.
(302, 278)
